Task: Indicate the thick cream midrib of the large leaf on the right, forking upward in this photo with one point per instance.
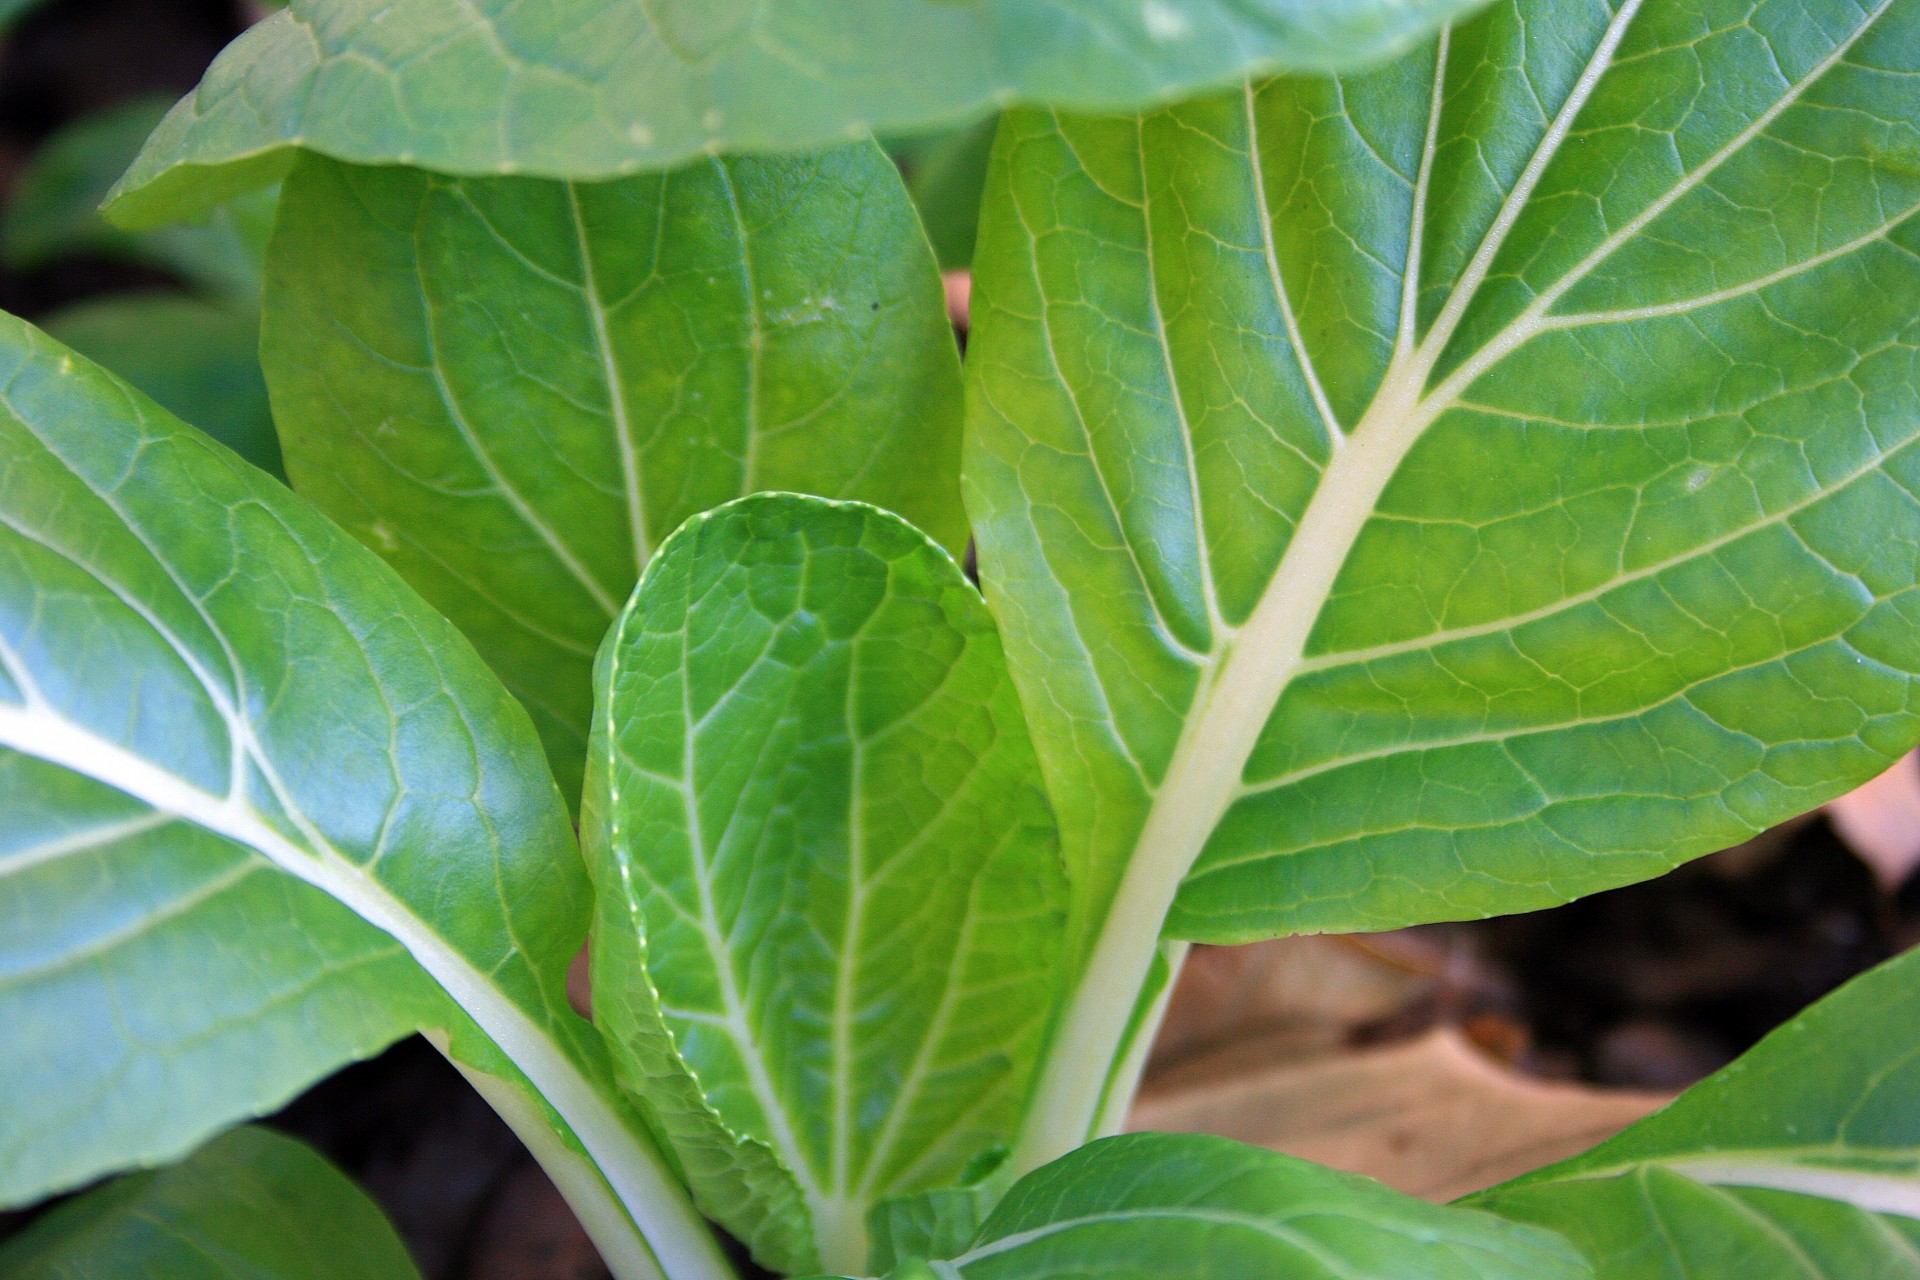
(1251, 669)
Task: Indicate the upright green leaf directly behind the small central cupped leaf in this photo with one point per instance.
(517, 389)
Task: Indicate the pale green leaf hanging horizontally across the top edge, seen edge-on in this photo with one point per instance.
(596, 89)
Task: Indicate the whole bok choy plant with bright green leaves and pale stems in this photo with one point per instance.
(1424, 462)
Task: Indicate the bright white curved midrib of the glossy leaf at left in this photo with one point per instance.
(638, 1177)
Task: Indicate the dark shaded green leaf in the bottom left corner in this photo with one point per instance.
(249, 1206)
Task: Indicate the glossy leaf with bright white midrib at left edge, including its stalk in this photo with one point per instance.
(224, 713)
